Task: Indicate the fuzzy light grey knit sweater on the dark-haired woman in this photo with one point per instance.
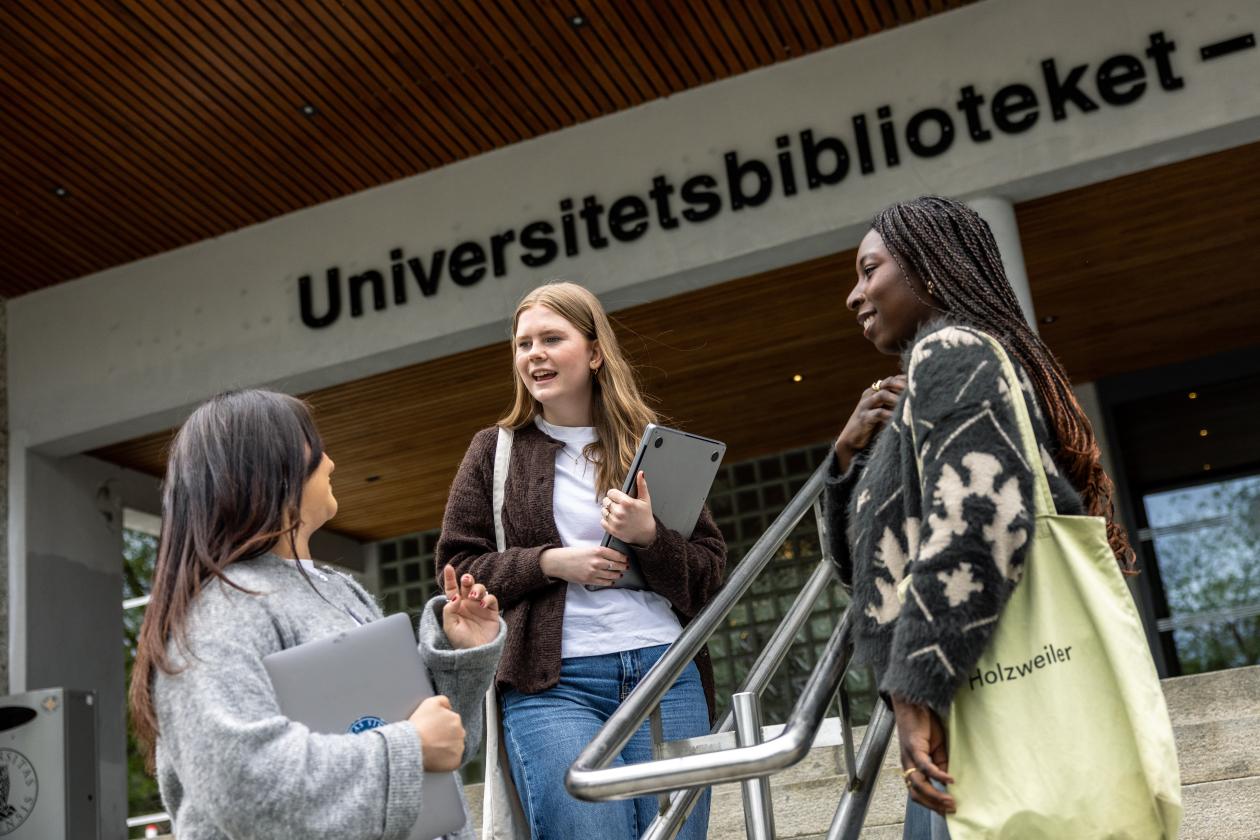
(230, 765)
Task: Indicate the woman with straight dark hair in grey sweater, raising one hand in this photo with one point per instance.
(248, 485)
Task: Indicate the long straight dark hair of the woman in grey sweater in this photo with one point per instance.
(234, 491)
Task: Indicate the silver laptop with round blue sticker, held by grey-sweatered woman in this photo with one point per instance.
(360, 679)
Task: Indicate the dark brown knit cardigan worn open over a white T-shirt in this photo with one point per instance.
(686, 571)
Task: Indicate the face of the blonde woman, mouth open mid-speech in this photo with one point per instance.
(555, 362)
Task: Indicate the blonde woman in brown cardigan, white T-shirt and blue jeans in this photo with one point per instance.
(576, 647)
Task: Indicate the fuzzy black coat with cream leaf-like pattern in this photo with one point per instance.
(961, 527)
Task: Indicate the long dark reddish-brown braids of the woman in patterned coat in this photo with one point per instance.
(952, 250)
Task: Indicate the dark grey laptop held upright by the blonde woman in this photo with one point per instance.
(680, 469)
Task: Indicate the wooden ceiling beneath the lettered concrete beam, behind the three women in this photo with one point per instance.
(1141, 271)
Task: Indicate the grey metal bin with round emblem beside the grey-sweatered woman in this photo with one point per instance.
(49, 766)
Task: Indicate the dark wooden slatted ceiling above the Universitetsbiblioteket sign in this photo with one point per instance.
(173, 122)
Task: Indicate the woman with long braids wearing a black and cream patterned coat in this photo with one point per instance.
(929, 479)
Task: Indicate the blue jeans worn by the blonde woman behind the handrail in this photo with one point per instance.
(545, 732)
